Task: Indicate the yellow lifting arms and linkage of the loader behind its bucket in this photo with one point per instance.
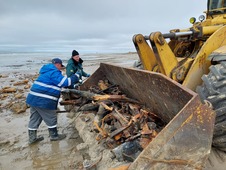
(187, 70)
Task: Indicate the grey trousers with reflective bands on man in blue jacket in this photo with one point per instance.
(39, 114)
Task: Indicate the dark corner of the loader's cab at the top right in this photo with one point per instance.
(216, 7)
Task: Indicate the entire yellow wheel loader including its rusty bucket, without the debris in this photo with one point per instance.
(183, 81)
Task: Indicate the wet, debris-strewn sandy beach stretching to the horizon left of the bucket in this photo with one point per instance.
(17, 73)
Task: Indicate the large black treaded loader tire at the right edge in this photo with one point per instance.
(213, 90)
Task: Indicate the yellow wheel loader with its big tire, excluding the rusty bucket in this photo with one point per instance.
(194, 57)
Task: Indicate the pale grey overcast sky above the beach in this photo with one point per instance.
(89, 25)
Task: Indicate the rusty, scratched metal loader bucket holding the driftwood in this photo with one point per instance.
(185, 142)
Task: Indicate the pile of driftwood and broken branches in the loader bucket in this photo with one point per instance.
(122, 124)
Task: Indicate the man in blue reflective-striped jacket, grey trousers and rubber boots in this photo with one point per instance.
(43, 99)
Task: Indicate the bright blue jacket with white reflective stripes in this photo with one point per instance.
(45, 91)
